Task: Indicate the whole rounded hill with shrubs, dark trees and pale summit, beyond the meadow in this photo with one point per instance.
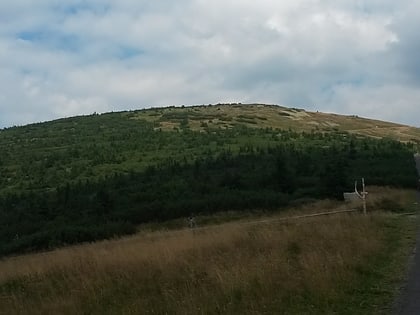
(90, 177)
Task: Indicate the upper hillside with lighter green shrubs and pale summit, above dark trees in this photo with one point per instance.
(44, 156)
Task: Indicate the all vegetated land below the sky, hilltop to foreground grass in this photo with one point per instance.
(241, 169)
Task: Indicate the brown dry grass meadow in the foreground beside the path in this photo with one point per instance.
(345, 264)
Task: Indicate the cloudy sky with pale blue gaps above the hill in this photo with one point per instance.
(67, 58)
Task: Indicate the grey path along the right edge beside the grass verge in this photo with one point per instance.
(409, 303)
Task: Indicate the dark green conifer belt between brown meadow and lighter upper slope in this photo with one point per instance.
(267, 174)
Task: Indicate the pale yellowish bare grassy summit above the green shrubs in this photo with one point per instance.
(272, 116)
